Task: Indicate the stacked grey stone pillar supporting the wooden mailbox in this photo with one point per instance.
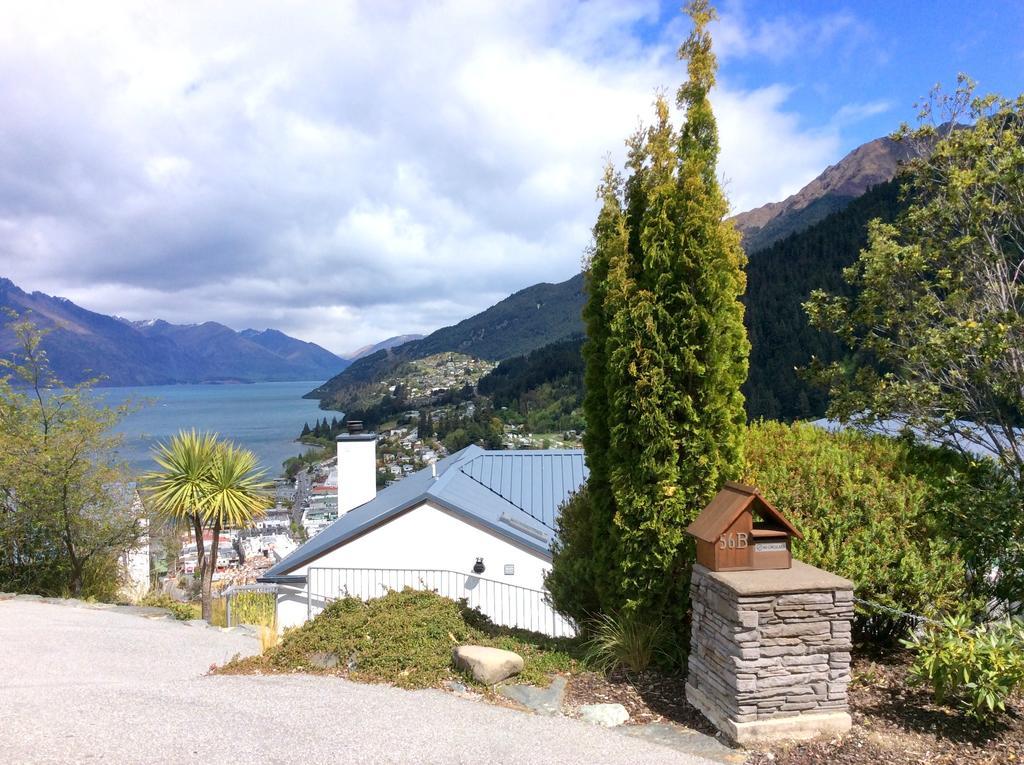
(757, 658)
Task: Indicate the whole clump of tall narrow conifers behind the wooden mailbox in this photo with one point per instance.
(666, 353)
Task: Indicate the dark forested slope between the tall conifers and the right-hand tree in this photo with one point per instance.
(780, 280)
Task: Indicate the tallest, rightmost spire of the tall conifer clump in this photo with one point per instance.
(712, 266)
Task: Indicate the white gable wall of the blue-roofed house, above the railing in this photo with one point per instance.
(425, 538)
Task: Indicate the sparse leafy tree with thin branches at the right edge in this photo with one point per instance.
(937, 324)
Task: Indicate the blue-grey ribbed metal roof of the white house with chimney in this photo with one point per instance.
(516, 494)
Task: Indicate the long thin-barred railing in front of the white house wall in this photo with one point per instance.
(505, 605)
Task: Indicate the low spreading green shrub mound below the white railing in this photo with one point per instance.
(407, 639)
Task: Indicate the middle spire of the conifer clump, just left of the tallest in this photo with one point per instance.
(643, 449)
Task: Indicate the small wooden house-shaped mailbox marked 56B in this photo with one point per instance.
(741, 531)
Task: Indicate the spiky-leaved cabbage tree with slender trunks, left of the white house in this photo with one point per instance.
(205, 483)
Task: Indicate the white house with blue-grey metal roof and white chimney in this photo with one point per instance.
(478, 525)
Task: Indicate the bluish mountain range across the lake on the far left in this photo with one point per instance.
(81, 345)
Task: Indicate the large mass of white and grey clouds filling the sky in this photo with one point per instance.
(343, 173)
